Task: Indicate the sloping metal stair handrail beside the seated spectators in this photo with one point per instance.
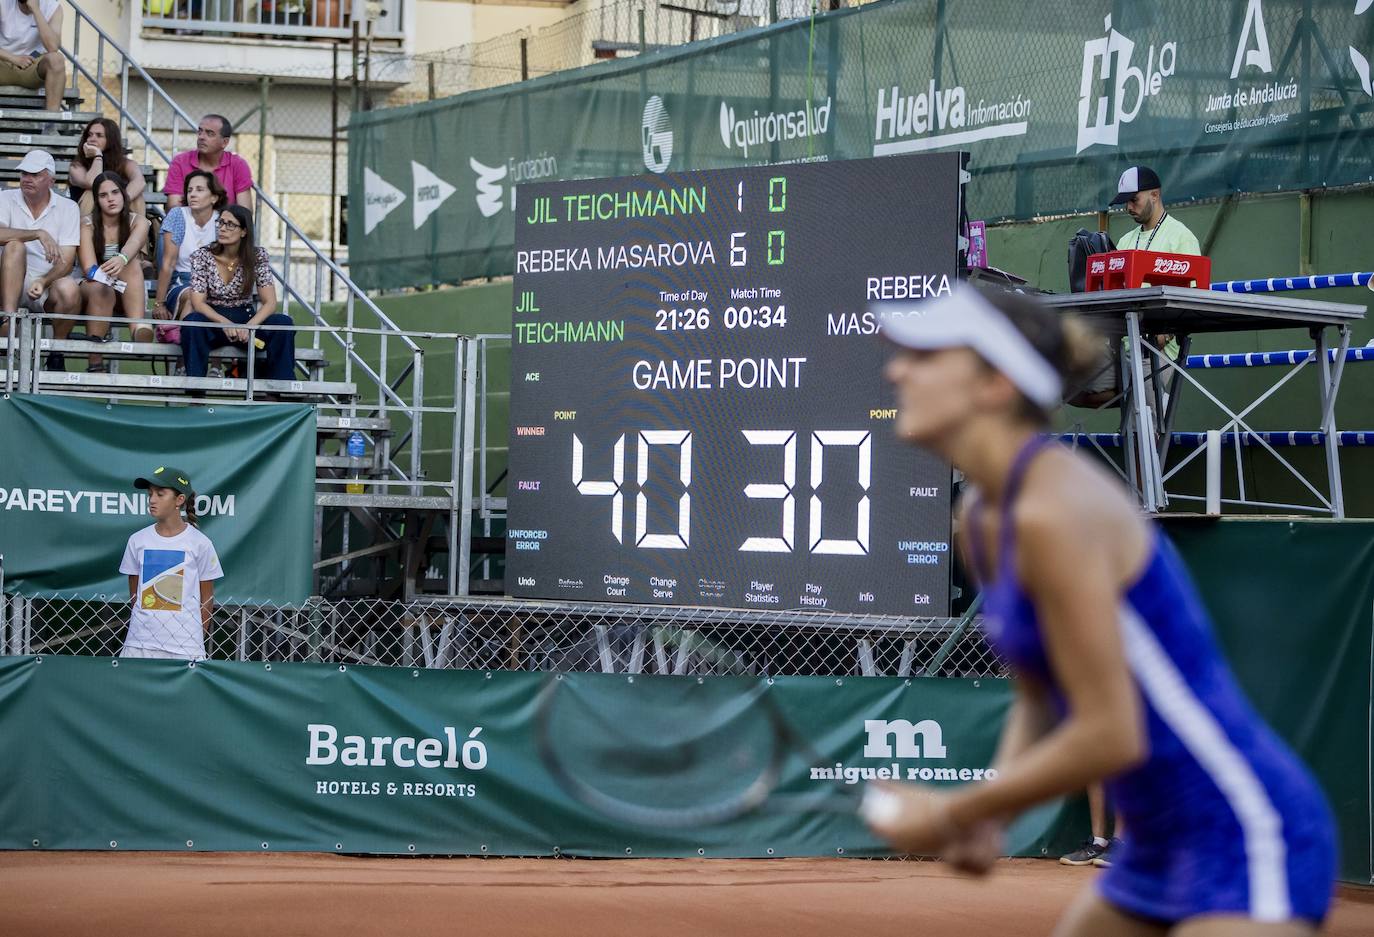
(109, 83)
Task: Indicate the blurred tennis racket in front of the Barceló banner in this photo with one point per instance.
(693, 755)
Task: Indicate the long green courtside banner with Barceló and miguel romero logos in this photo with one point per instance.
(260, 758)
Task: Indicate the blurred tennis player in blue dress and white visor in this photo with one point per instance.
(1119, 678)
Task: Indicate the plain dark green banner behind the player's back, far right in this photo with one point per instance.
(1294, 605)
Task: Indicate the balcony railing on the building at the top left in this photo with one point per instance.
(304, 20)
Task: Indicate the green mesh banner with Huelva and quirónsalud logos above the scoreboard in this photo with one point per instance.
(1053, 100)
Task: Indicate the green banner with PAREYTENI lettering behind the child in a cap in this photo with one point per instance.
(68, 502)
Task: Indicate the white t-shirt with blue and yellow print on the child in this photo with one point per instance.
(167, 604)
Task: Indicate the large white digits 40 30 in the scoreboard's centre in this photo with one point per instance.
(859, 440)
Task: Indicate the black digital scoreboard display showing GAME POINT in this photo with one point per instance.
(699, 413)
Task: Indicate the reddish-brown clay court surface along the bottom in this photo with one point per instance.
(155, 895)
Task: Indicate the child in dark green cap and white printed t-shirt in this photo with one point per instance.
(172, 568)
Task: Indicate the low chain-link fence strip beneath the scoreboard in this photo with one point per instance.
(512, 635)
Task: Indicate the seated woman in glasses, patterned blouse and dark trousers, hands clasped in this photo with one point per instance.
(223, 278)
